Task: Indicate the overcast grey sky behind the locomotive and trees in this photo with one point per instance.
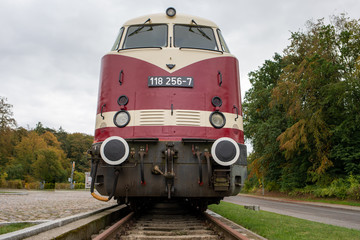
(50, 50)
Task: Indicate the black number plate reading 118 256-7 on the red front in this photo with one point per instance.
(164, 81)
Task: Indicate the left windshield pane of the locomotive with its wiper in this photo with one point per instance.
(143, 36)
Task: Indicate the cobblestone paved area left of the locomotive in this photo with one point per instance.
(23, 205)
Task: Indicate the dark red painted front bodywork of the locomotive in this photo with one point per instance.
(134, 85)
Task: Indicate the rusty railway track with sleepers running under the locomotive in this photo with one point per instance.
(174, 221)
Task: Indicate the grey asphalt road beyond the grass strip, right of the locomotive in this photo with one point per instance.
(325, 213)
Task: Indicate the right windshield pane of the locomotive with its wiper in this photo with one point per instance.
(194, 36)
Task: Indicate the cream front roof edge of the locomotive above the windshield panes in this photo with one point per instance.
(177, 19)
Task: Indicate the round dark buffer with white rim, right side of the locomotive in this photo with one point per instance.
(225, 151)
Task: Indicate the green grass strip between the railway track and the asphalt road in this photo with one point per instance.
(276, 226)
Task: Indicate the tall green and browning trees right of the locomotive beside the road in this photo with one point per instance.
(302, 112)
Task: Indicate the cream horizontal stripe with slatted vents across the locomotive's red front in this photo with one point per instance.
(163, 117)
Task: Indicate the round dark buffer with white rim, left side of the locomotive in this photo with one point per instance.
(114, 150)
